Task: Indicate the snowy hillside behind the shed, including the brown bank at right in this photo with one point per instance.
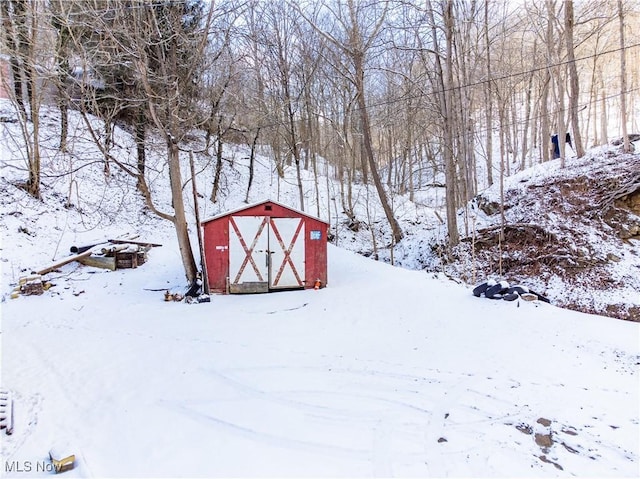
(571, 233)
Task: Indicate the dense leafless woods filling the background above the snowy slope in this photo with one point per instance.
(399, 95)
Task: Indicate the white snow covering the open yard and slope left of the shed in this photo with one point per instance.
(385, 372)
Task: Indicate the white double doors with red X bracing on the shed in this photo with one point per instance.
(266, 253)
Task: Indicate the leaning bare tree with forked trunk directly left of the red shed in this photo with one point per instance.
(157, 49)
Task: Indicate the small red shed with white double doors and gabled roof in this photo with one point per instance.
(265, 247)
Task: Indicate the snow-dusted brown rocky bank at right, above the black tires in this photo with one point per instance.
(572, 233)
